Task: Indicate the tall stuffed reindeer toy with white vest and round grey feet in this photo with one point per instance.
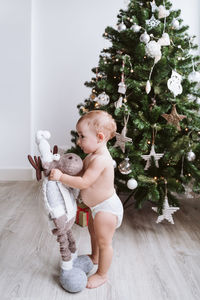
(60, 201)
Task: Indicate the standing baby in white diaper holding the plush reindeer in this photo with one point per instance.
(96, 184)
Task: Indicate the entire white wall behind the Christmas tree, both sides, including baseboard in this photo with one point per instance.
(66, 40)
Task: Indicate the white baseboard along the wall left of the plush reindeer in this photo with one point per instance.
(16, 174)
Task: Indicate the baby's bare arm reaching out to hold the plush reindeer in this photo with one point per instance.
(93, 171)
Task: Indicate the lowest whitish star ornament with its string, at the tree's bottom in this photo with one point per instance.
(167, 210)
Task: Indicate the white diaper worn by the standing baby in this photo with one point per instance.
(112, 205)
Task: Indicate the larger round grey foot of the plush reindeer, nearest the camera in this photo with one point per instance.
(74, 280)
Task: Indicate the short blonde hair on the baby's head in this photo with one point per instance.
(101, 121)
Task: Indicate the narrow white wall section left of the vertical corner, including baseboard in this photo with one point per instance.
(14, 87)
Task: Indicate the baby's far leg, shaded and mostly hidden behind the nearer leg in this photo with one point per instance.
(95, 248)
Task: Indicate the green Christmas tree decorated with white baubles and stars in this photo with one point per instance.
(148, 80)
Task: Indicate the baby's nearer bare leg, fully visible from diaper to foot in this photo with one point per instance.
(104, 228)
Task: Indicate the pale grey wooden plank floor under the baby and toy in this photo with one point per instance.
(151, 261)
